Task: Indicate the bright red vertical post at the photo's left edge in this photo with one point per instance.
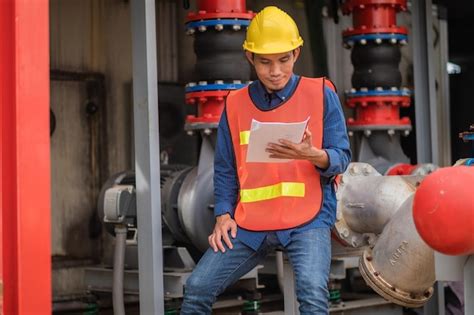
(25, 158)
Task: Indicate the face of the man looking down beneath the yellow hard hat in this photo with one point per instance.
(274, 70)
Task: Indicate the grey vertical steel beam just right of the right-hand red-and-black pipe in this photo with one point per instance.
(427, 131)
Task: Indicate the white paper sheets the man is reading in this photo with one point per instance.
(263, 133)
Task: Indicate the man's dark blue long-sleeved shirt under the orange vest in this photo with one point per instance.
(335, 143)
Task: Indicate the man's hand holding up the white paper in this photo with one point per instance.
(299, 151)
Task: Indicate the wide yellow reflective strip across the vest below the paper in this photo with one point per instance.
(283, 189)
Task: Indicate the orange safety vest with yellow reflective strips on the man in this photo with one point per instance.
(277, 196)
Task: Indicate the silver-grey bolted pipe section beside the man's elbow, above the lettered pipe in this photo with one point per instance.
(367, 201)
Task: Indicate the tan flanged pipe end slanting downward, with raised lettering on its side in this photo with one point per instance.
(400, 267)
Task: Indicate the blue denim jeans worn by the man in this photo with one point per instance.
(309, 253)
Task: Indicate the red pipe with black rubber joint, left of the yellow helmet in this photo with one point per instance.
(218, 28)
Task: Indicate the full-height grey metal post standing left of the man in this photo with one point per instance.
(147, 156)
